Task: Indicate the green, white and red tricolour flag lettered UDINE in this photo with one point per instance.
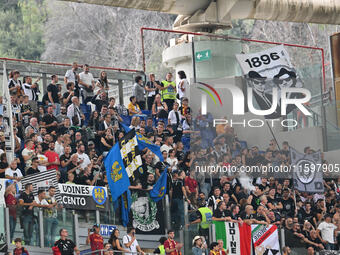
(236, 237)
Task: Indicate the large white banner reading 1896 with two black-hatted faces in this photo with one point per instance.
(267, 70)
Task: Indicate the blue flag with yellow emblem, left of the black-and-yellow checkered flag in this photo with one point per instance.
(116, 173)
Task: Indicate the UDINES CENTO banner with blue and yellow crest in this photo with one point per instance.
(83, 197)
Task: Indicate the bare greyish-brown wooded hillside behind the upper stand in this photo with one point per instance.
(107, 36)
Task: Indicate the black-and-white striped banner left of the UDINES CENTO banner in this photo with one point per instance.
(42, 180)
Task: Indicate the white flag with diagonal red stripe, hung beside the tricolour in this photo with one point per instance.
(265, 239)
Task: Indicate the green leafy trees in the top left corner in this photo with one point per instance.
(22, 28)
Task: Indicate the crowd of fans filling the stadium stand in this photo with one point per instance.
(56, 133)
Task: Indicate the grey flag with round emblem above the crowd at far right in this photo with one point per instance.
(307, 171)
